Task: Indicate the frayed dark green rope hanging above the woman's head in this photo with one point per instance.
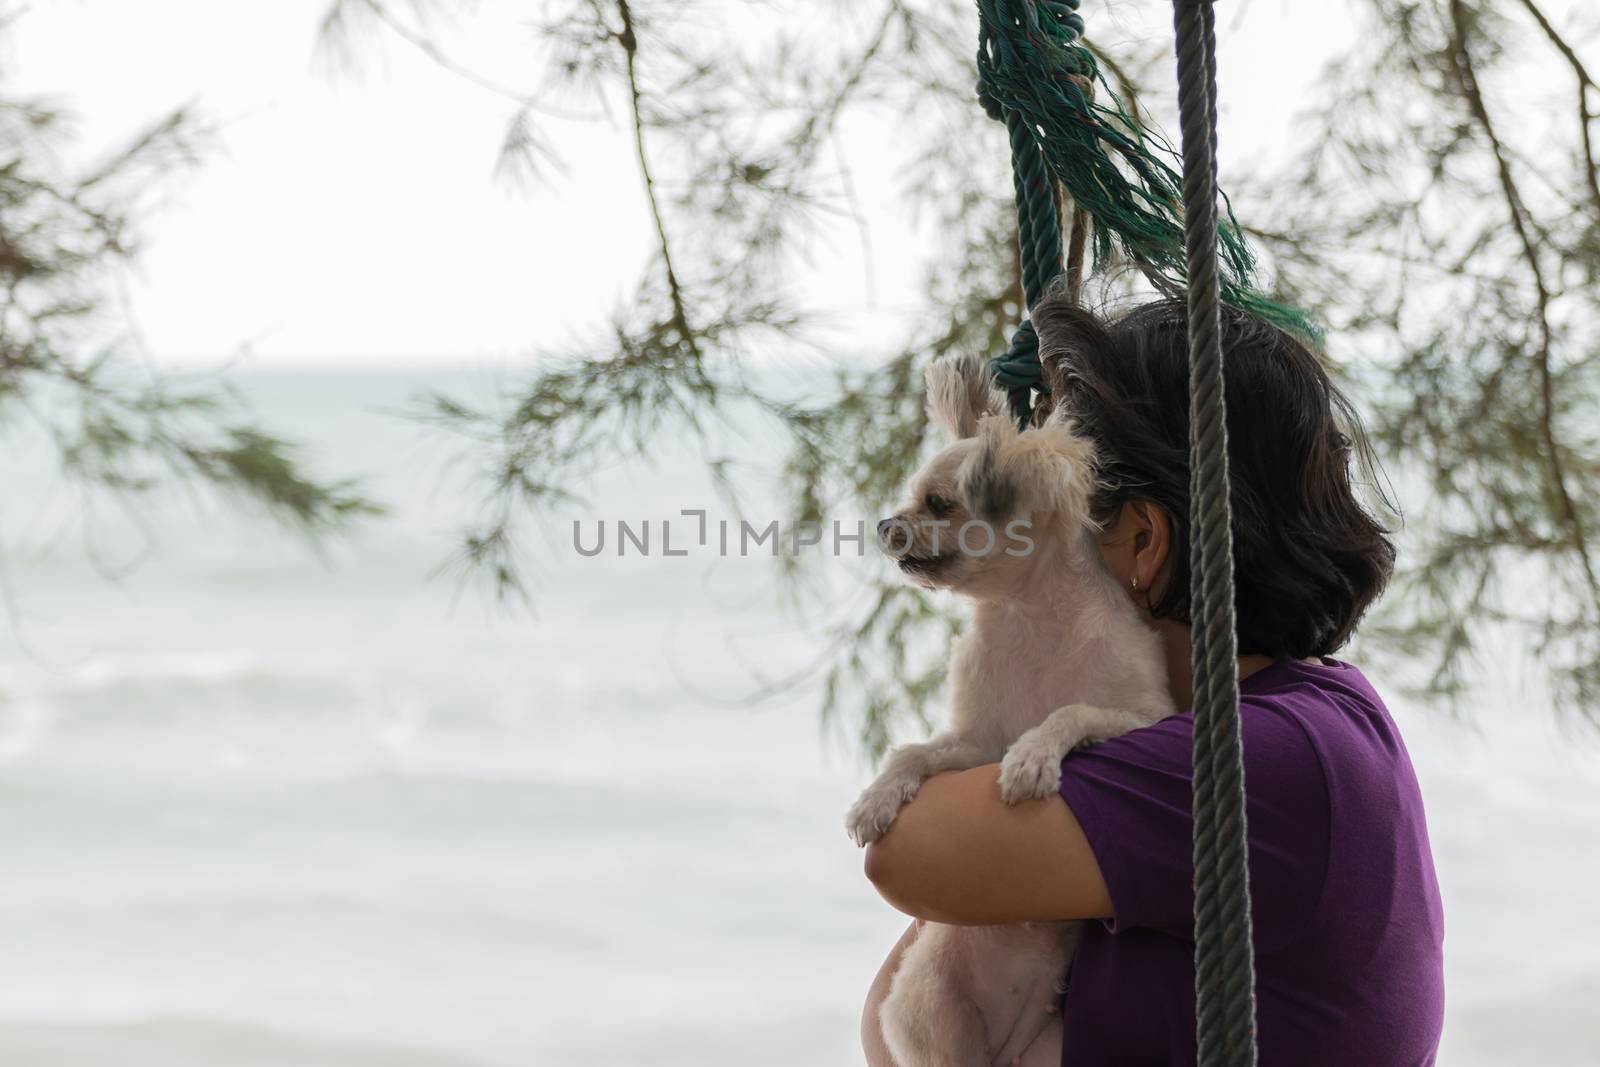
(1036, 76)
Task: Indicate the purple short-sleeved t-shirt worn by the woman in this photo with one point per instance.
(1350, 927)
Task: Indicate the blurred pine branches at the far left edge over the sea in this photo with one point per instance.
(70, 372)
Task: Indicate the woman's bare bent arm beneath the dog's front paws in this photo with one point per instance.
(961, 855)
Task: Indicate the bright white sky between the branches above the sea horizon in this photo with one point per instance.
(354, 220)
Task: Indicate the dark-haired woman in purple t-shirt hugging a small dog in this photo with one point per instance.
(1348, 921)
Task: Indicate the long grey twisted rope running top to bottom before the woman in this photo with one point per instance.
(1225, 972)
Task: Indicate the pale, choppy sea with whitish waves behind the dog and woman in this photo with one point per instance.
(268, 802)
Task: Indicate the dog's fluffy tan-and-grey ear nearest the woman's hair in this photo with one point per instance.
(1044, 470)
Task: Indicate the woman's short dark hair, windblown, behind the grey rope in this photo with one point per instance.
(1310, 557)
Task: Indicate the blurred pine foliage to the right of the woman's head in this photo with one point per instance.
(1455, 249)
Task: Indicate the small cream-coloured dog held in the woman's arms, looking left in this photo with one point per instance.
(1057, 657)
